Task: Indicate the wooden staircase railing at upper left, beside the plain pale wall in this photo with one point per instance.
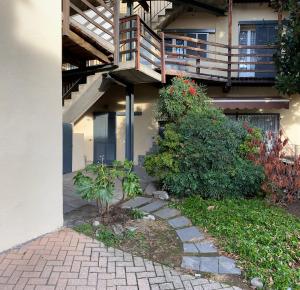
(100, 22)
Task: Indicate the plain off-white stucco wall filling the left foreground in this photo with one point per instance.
(31, 118)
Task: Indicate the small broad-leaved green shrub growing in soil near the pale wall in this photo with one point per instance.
(97, 182)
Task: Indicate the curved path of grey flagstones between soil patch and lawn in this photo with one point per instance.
(199, 253)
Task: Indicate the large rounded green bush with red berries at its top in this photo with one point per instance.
(199, 152)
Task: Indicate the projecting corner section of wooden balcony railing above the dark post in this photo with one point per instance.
(140, 44)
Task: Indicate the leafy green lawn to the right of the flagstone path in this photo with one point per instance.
(265, 238)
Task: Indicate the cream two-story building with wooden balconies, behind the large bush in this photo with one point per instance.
(226, 45)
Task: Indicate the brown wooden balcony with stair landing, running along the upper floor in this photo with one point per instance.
(92, 30)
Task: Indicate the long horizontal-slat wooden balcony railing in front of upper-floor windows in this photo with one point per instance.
(216, 61)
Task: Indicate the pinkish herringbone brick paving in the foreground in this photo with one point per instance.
(68, 260)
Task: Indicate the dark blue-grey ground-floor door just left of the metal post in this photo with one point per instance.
(104, 137)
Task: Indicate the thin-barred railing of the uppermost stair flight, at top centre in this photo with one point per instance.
(155, 8)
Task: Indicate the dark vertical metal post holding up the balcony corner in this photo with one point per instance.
(129, 140)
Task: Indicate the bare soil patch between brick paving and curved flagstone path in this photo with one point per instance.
(153, 240)
